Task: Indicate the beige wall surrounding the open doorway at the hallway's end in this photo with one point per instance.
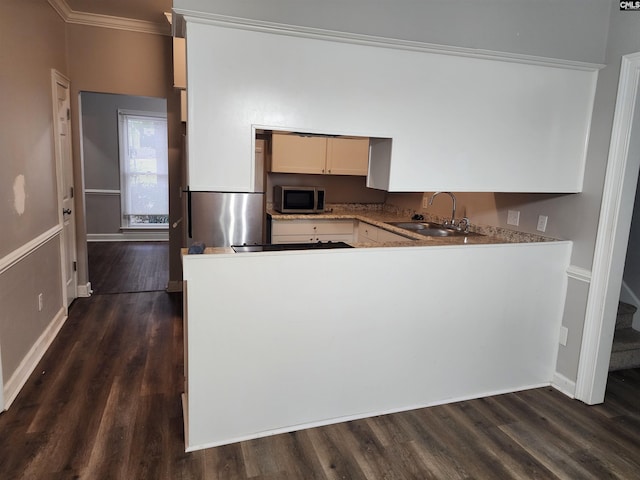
(129, 63)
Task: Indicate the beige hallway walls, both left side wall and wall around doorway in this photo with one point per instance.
(34, 40)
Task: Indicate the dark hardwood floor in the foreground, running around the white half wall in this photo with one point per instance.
(104, 403)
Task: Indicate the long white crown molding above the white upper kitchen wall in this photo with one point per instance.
(182, 16)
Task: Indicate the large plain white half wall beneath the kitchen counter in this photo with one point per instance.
(279, 341)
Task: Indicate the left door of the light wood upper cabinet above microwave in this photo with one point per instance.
(296, 154)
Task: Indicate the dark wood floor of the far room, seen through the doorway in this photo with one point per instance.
(123, 267)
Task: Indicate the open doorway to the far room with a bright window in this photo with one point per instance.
(121, 253)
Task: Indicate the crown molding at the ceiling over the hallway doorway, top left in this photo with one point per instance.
(107, 21)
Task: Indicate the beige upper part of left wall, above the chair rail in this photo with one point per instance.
(32, 40)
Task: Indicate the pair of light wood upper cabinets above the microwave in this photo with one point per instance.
(291, 153)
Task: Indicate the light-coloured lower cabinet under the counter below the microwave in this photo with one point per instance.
(305, 231)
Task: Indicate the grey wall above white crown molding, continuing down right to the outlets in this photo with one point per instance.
(594, 31)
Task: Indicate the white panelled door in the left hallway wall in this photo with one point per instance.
(64, 165)
